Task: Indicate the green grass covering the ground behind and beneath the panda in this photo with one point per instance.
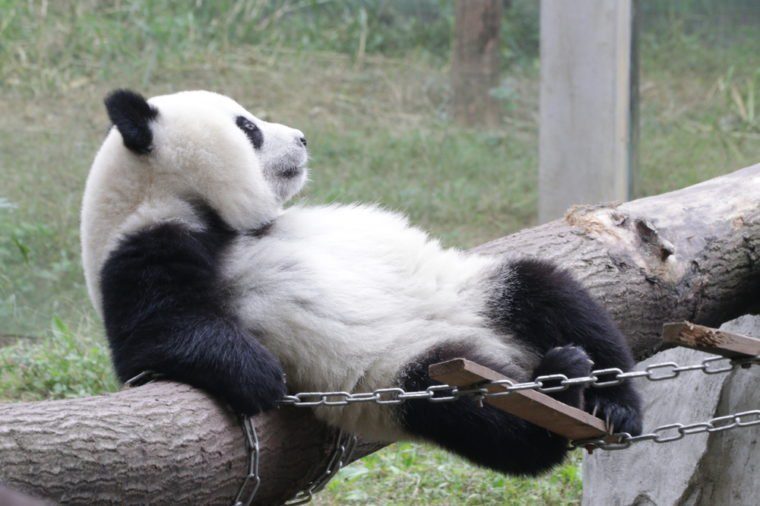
(379, 131)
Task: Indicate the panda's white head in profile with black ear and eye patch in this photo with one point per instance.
(199, 145)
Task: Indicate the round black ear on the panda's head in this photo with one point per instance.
(132, 114)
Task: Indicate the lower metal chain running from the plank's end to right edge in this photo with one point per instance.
(674, 431)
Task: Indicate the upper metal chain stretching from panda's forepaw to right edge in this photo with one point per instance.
(600, 378)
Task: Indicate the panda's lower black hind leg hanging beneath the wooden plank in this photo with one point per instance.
(486, 435)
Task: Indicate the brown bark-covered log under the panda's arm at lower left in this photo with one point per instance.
(161, 443)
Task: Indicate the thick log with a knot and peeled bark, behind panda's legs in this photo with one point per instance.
(691, 254)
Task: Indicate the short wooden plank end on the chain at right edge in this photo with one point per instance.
(710, 340)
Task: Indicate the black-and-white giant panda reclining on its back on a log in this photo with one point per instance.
(202, 275)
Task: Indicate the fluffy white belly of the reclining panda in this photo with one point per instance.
(347, 304)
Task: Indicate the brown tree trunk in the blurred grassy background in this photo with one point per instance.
(475, 61)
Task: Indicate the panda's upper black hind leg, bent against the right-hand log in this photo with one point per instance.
(545, 307)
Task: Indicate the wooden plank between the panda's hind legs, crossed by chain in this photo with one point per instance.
(535, 407)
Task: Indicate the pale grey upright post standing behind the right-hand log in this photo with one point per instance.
(587, 103)
